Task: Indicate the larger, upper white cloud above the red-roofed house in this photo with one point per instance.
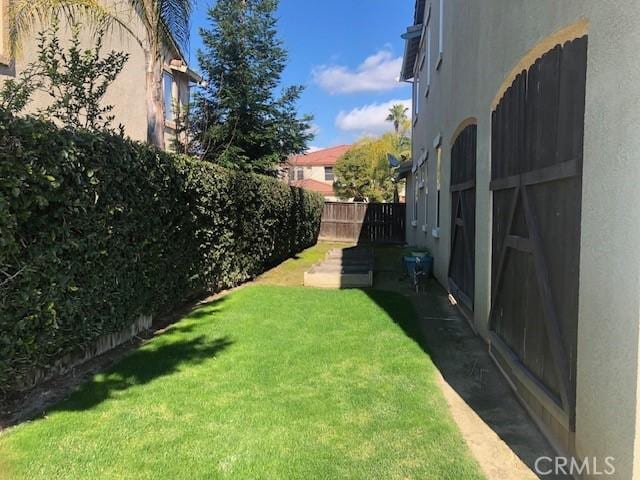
(378, 73)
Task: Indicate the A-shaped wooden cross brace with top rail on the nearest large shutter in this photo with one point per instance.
(533, 245)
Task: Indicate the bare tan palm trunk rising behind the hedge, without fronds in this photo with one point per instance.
(155, 103)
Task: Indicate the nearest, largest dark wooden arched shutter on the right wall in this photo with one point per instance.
(537, 136)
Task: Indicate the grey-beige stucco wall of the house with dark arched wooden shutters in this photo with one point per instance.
(483, 42)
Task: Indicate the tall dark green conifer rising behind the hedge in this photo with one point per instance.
(239, 120)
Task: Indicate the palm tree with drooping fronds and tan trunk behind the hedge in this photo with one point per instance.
(162, 21)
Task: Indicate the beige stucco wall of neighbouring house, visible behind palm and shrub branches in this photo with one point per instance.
(127, 93)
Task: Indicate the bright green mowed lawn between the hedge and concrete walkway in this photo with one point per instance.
(266, 383)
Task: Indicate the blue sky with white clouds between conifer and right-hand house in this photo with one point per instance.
(347, 54)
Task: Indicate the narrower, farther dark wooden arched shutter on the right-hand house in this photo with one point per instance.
(463, 217)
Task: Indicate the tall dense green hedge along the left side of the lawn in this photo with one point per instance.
(96, 230)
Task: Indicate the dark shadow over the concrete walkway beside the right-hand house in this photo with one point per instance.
(461, 357)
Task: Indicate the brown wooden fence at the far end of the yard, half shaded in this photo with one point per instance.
(363, 222)
